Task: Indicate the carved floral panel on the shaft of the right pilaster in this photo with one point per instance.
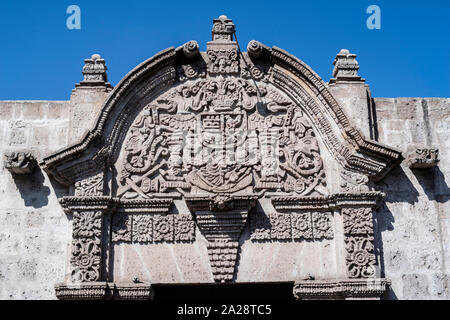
(358, 231)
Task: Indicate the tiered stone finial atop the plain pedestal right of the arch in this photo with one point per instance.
(345, 67)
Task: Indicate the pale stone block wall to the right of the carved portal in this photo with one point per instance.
(415, 222)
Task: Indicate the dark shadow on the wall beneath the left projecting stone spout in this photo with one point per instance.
(33, 191)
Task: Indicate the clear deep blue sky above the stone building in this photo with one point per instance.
(41, 59)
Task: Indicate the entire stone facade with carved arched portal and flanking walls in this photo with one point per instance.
(225, 166)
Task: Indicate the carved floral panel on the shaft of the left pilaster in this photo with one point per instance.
(86, 246)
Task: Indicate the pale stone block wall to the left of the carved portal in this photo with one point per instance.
(34, 231)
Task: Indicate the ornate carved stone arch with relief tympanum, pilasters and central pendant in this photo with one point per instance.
(130, 172)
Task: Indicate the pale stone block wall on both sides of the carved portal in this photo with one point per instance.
(413, 226)
